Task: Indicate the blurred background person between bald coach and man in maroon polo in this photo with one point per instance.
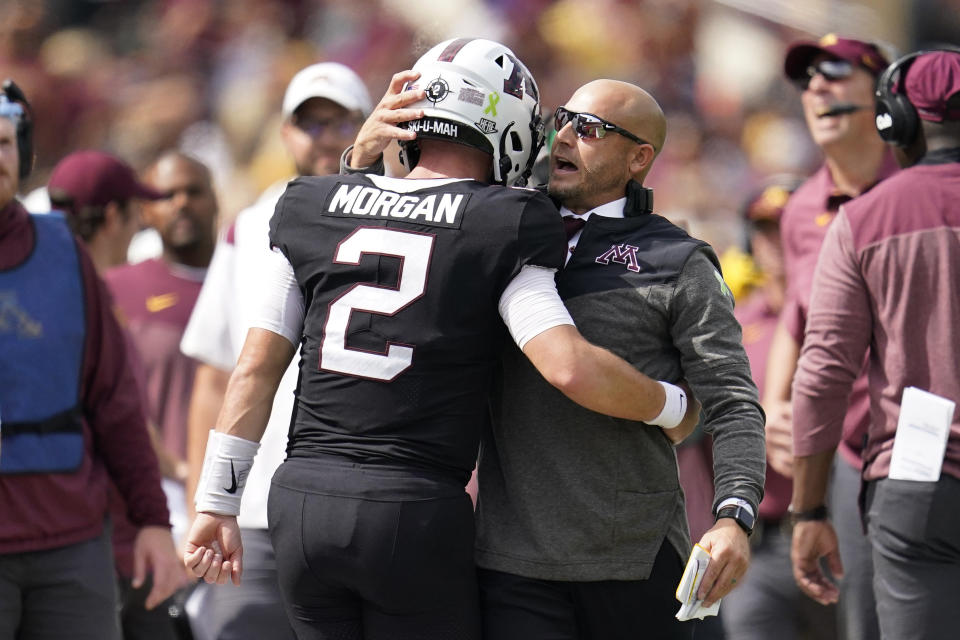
(769, 604)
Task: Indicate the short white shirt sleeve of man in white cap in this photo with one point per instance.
(207, 336)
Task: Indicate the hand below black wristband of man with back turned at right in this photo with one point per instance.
(811, 541)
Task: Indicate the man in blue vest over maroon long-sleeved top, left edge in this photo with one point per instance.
(70, 421)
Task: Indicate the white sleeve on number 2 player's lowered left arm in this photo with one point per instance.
(279, 306)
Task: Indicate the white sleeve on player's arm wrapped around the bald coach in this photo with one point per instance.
(530, 304)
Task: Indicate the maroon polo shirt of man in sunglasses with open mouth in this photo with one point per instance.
(806, 219)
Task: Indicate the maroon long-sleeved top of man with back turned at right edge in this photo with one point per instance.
(888, 280)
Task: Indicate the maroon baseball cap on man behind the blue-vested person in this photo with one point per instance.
(94, 178)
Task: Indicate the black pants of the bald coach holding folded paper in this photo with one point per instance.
(518, 608)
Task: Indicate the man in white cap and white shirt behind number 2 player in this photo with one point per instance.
(323, 108)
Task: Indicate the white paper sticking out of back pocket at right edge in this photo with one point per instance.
(922, 432)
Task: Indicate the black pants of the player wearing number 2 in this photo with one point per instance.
(366, 552)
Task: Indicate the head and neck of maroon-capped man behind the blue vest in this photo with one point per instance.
(102, 195)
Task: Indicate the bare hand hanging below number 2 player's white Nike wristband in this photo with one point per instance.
(213, 550)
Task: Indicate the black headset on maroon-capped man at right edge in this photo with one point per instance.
(897, 120)
